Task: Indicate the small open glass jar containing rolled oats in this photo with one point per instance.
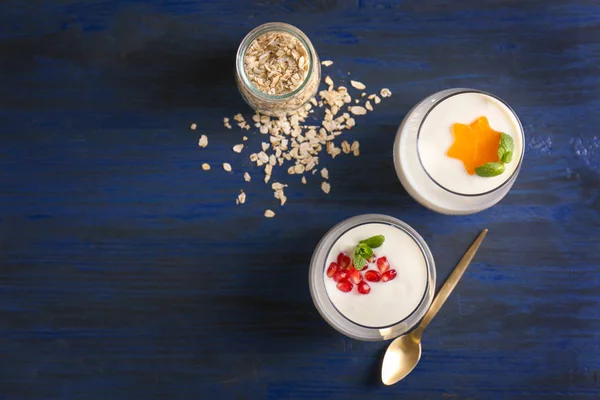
(273, 104)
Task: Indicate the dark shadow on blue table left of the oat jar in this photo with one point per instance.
(166, 74)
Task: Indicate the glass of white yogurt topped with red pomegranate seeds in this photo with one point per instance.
(385, 299)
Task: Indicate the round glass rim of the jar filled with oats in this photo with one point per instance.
(260, 30)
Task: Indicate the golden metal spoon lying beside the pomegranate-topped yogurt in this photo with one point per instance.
(404, 353)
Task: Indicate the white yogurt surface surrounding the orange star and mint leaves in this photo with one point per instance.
(435, 138)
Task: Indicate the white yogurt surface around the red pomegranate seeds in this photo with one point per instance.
(390, 302)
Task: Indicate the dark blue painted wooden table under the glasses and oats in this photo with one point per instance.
(127, 272)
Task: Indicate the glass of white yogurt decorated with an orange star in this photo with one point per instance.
(443, 183)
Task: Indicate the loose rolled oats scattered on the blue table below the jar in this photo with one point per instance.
(305, 139)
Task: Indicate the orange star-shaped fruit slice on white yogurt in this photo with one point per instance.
(475, 144)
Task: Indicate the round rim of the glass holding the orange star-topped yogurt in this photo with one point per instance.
(521, 133)
